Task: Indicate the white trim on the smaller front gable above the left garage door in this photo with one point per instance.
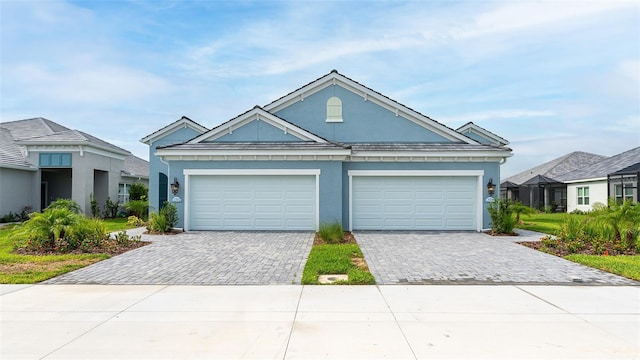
(256, 114)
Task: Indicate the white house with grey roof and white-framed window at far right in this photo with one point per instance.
(595, 184)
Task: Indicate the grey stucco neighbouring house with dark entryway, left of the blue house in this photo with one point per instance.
(41, 161)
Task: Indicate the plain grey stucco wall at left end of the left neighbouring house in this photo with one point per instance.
(16, 187)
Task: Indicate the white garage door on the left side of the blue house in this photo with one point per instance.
(252, 202)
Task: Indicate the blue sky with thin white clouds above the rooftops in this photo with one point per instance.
(550, 77)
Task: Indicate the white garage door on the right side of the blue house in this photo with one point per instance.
(414, 203)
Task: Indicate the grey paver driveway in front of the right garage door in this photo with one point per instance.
(469, 258)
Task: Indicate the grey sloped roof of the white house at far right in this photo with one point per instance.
(601, 169)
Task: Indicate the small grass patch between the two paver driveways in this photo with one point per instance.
(335, 259)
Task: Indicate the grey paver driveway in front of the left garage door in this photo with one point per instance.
(204, 258)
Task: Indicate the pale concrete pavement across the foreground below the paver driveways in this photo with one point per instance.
(333, 322)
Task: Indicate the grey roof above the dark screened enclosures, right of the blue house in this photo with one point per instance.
(557, 167)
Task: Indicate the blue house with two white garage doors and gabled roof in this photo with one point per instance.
(333, 150)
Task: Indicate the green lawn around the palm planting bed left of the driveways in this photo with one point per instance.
(30, 269)
